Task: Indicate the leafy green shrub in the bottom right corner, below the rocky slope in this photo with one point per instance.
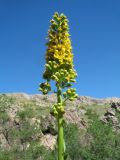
(105, 143)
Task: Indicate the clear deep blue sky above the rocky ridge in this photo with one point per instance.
(95, 33)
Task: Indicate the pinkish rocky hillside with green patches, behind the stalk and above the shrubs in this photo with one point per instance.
(25, 119)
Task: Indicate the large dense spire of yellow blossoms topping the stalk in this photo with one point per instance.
(59, 51)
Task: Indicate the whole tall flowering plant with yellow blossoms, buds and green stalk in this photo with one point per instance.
(59, 68)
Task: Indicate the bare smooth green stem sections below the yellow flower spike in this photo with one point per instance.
(60, 128)
